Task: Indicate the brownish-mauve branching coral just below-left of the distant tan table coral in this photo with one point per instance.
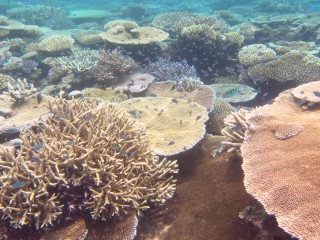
(112, 64)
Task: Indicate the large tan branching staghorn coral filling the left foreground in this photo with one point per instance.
(85, 156)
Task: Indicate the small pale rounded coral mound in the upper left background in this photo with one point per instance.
(56, 43)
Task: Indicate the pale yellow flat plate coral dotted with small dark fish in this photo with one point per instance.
(172, 125)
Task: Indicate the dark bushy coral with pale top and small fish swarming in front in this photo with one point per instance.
(209, 50)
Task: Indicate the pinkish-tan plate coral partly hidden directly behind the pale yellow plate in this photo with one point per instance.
(204, 96)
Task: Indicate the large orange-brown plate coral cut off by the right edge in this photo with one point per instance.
(283, 174)
